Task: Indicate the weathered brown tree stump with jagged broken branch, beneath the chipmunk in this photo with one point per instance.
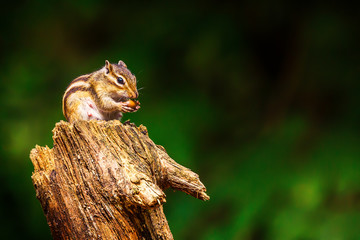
(105, 180)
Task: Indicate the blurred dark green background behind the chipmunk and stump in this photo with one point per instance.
(260, 98)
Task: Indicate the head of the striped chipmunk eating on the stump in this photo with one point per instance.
(121, 83)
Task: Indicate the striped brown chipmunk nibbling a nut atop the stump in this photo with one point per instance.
(102, 95)
